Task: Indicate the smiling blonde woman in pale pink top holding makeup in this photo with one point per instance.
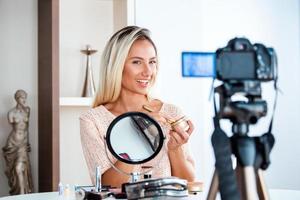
(129, 66)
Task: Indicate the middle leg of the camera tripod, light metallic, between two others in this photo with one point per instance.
(247, 182)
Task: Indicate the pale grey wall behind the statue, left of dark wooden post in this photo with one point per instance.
(18, 70)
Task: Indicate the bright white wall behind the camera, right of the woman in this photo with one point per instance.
(207, 25)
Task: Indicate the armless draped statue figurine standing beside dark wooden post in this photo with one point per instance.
(17, 147)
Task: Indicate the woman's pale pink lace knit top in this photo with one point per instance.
(93, 126)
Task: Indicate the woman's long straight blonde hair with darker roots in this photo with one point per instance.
(113, 60)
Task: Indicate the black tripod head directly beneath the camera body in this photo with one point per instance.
(241, 113)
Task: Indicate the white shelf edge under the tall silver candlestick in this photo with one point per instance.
(76, 101)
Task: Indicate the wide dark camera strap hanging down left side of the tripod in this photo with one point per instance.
(222, 149)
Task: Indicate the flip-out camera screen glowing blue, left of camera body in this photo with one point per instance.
(198, 64)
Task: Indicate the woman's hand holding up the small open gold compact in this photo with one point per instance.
(178, 136)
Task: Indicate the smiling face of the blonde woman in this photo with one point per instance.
(140, 67)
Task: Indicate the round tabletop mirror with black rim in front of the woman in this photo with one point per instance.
(134, 138)
